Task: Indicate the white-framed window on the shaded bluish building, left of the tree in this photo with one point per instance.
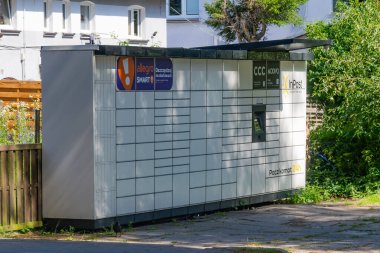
(183, 8)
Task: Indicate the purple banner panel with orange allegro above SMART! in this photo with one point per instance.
(144, 73)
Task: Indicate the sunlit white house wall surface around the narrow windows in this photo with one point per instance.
(22, 51)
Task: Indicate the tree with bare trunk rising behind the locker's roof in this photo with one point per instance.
(248, 20)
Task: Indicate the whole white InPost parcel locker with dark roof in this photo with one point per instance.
(137, 134)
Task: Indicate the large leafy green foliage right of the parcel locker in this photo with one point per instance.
(345, 82)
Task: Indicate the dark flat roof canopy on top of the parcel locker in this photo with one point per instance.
(263, 50)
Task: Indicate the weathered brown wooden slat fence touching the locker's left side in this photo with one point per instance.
(20, 186)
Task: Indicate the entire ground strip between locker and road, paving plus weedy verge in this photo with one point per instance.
(329, 228)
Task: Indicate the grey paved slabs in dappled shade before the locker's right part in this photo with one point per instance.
(295, 228)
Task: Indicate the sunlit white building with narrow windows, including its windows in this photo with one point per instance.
(26, 25)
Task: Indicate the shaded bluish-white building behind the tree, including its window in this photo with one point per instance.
(186, 27)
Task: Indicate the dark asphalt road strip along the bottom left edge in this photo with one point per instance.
(46, 246)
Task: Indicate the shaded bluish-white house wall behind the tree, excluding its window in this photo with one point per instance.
(195, 33)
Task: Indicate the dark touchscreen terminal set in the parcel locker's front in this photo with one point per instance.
(258, 123)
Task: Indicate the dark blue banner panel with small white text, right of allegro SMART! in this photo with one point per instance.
(164, 74)
